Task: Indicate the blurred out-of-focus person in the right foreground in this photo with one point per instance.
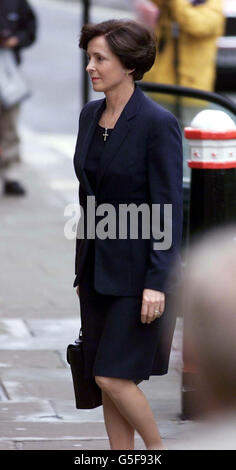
(208, 297)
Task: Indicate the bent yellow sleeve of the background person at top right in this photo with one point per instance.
(200, 20)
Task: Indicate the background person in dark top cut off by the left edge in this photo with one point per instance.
(17, 30)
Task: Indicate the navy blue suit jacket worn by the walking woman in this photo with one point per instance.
(142, 163)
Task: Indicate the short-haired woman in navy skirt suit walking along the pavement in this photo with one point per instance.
(128, 151)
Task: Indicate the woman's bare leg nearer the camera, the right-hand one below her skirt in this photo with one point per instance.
(134, 407)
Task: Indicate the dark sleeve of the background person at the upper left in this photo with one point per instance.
(27, 26)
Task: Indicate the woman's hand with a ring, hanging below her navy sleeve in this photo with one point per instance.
(152, 300)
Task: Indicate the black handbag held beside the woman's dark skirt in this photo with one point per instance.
(87, 393)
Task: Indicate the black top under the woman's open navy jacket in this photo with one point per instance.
(94, 154)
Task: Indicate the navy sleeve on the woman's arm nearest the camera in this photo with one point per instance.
(165, 181)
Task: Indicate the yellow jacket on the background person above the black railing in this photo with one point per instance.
(187, 32)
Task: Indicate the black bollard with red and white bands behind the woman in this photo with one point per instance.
(212, 204)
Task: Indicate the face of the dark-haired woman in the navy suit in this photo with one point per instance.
(104, 67)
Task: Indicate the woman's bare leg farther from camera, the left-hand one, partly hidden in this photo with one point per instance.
(120, 433)
